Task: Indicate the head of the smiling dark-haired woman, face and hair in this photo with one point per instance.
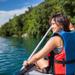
(58, 22)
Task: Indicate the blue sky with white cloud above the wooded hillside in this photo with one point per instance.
(9, 8)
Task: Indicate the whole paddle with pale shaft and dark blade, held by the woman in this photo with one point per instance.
(23, 70)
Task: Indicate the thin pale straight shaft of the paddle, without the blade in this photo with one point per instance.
(36, 48)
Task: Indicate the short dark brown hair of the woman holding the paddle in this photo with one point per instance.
(61, 19)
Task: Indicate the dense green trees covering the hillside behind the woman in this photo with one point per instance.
(35, 21)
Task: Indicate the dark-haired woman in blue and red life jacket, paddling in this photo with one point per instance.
(60, 28)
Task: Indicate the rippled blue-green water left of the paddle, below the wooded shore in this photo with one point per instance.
(13, 51)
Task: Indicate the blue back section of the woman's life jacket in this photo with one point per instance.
(69, 45)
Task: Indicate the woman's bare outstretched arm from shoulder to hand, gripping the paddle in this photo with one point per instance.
(52, 43)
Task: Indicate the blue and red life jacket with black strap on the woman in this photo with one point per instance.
(64, 62)
